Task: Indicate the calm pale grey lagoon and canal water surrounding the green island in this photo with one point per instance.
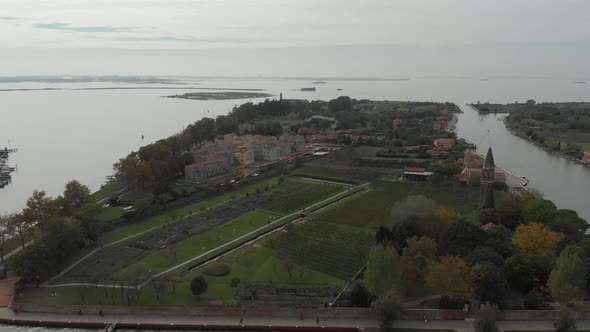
(64, 135)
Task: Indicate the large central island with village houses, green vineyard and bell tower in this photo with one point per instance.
(348, 210)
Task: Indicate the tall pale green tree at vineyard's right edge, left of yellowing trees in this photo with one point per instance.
(383, 270)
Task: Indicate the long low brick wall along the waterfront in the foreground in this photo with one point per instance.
(331, 313)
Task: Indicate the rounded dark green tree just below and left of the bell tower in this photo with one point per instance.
(460, 238)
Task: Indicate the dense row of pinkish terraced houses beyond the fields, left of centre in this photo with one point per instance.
(232, 154)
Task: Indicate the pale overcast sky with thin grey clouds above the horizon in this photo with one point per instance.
(385, 38)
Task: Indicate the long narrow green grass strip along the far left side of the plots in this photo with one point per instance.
(137, 227)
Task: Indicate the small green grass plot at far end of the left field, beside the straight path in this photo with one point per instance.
(312, 192)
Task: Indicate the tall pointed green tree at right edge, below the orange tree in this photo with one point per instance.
(567, 281)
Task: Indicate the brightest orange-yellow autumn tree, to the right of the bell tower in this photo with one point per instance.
(535, 239)
